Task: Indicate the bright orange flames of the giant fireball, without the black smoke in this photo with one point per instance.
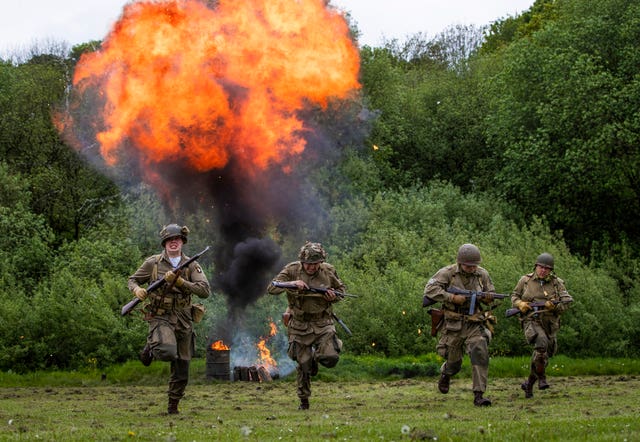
(200, 83)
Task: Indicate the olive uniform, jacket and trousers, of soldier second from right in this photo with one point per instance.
(460, 330)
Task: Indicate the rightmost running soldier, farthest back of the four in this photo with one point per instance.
(540, 325)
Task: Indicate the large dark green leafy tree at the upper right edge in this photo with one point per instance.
(563, 124)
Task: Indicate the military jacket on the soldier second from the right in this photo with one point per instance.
(453, 276)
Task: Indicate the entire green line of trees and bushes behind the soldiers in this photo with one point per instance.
(520, 137)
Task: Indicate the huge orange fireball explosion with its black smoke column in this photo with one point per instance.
(208, 102)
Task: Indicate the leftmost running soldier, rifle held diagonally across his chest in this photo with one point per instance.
(169, 309)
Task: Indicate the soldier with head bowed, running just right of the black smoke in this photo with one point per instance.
(312, 334)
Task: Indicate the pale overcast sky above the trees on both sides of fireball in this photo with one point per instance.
(25, 22)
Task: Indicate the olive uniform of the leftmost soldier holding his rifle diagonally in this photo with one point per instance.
(171, 336)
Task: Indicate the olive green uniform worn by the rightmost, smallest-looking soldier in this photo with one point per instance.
(541, 327)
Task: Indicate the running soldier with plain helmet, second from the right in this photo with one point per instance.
(460, 330)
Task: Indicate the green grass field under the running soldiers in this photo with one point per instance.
(390, 408)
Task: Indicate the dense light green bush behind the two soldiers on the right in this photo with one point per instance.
(410, 234)
